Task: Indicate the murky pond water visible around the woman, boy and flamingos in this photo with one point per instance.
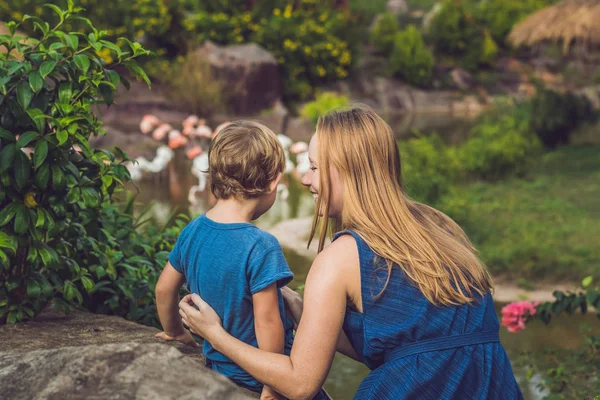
(346, 374)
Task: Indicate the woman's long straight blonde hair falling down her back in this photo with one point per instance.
(431, 249)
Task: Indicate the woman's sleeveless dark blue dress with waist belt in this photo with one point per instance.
(417, 350)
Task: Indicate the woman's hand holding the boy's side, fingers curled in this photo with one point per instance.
(204, 321)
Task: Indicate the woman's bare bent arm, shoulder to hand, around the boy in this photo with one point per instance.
(301, 375)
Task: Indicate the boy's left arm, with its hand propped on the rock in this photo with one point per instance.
(167, 306)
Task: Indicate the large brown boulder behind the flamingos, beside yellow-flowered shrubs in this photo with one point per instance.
(250, 74)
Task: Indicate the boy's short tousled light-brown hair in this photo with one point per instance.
(244, 159)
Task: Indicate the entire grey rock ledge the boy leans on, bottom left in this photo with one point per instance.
(90, 356)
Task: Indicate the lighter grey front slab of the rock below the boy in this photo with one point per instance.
(110, 371)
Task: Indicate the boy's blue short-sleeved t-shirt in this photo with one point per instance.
(226, 264)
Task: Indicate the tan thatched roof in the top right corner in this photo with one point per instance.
(570, 21)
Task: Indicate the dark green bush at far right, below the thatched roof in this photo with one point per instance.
(555, 116)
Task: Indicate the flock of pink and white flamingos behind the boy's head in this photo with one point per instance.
(194, 139)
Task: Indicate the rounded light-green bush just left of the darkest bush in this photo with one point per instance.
(500, 144)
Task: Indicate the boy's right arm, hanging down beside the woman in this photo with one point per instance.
(268, 326)
